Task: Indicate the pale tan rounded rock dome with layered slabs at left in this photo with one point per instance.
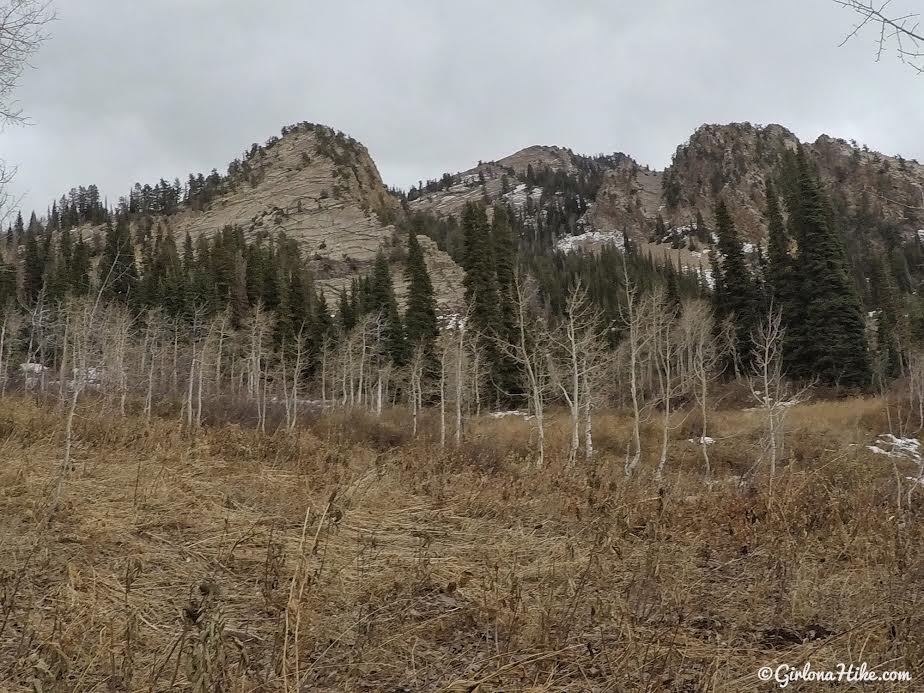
(318, 186)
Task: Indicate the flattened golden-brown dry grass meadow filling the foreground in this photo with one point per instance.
(351, 558)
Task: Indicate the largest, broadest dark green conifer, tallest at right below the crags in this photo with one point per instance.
(827, 337)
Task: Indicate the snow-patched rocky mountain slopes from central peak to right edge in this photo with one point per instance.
(733, 162)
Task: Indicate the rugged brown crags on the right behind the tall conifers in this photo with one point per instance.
(734, 162)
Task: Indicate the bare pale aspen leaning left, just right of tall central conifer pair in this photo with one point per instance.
(529, 349)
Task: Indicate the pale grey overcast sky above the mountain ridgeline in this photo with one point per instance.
(136, 91)
